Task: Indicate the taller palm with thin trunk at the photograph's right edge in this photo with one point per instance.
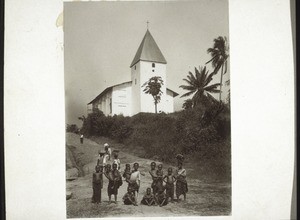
(219, 54)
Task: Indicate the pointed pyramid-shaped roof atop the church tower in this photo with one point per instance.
(148, 51)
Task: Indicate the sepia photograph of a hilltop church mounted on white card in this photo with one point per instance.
(147, 93)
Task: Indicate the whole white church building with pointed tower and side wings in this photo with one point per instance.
(128, 98)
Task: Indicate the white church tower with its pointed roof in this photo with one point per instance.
(147, 62)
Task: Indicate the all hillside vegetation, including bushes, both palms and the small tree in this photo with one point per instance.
(202, 128)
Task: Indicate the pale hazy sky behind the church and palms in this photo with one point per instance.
(101, 39)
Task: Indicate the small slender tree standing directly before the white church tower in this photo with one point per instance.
(153, 87)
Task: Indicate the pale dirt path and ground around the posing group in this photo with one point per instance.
(202, 199)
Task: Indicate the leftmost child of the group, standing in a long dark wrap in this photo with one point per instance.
(97, 184)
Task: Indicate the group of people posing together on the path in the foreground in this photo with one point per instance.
(162, 189)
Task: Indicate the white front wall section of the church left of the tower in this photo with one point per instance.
(121, 99)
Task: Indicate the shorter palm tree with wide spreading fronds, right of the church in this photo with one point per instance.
(198, 85)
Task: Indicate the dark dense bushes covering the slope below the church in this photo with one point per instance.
(164, 135)
